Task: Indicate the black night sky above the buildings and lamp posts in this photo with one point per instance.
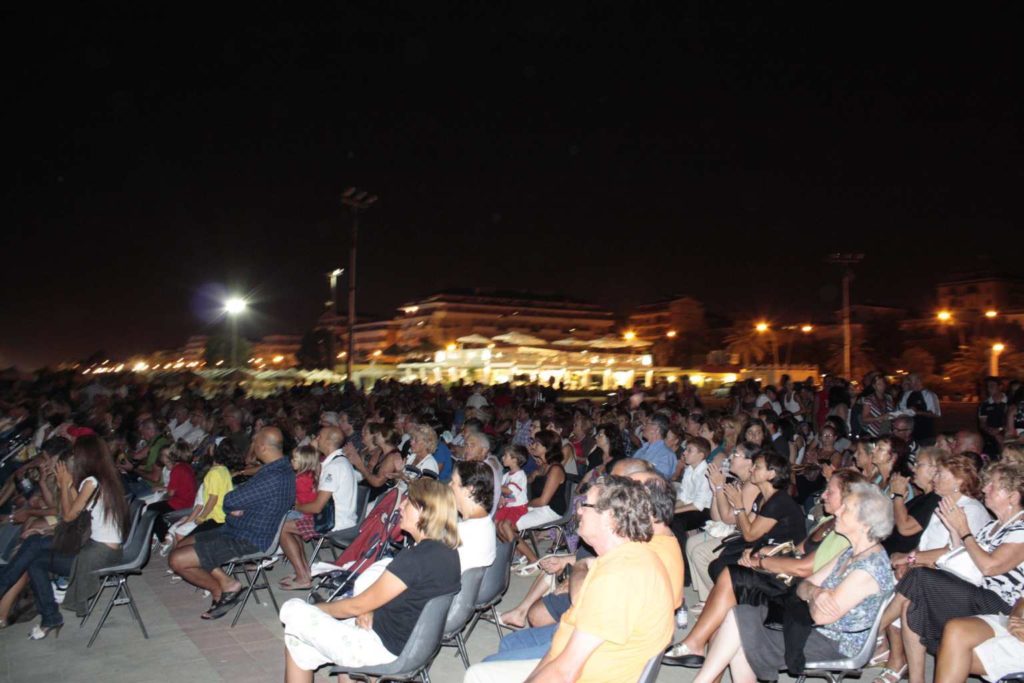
(613, 152)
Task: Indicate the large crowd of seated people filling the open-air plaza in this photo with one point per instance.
(802, 507)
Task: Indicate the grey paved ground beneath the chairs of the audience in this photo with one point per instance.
(183, 648)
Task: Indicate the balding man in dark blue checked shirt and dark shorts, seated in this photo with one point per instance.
(254, 511)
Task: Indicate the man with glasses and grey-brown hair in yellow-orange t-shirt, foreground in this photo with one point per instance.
(624, 615)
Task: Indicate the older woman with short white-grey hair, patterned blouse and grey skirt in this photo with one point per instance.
(843, 601)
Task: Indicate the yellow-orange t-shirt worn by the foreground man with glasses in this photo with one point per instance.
(626, 601)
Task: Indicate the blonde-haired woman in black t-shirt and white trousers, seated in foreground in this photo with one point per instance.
(373, 627)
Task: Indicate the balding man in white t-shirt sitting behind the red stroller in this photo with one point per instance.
(337, 486)
